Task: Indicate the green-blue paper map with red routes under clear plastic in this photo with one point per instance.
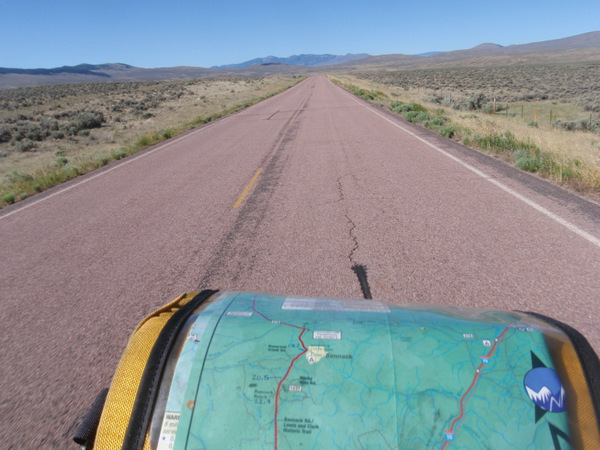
(259, 371)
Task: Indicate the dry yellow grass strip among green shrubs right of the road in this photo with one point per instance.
(568, 157)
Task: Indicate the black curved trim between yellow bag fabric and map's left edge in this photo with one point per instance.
(150, 382)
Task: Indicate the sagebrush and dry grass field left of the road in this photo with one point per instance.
(51, 134)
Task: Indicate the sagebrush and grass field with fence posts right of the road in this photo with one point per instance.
(544, 120)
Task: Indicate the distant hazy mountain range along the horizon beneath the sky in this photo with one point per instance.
(583, 48)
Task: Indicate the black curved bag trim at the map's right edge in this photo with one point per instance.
(587, 357)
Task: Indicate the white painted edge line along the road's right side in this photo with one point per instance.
(575, 229)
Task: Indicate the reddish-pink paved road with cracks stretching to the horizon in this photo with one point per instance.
(286, 196)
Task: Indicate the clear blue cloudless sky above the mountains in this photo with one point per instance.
(160, 33)
